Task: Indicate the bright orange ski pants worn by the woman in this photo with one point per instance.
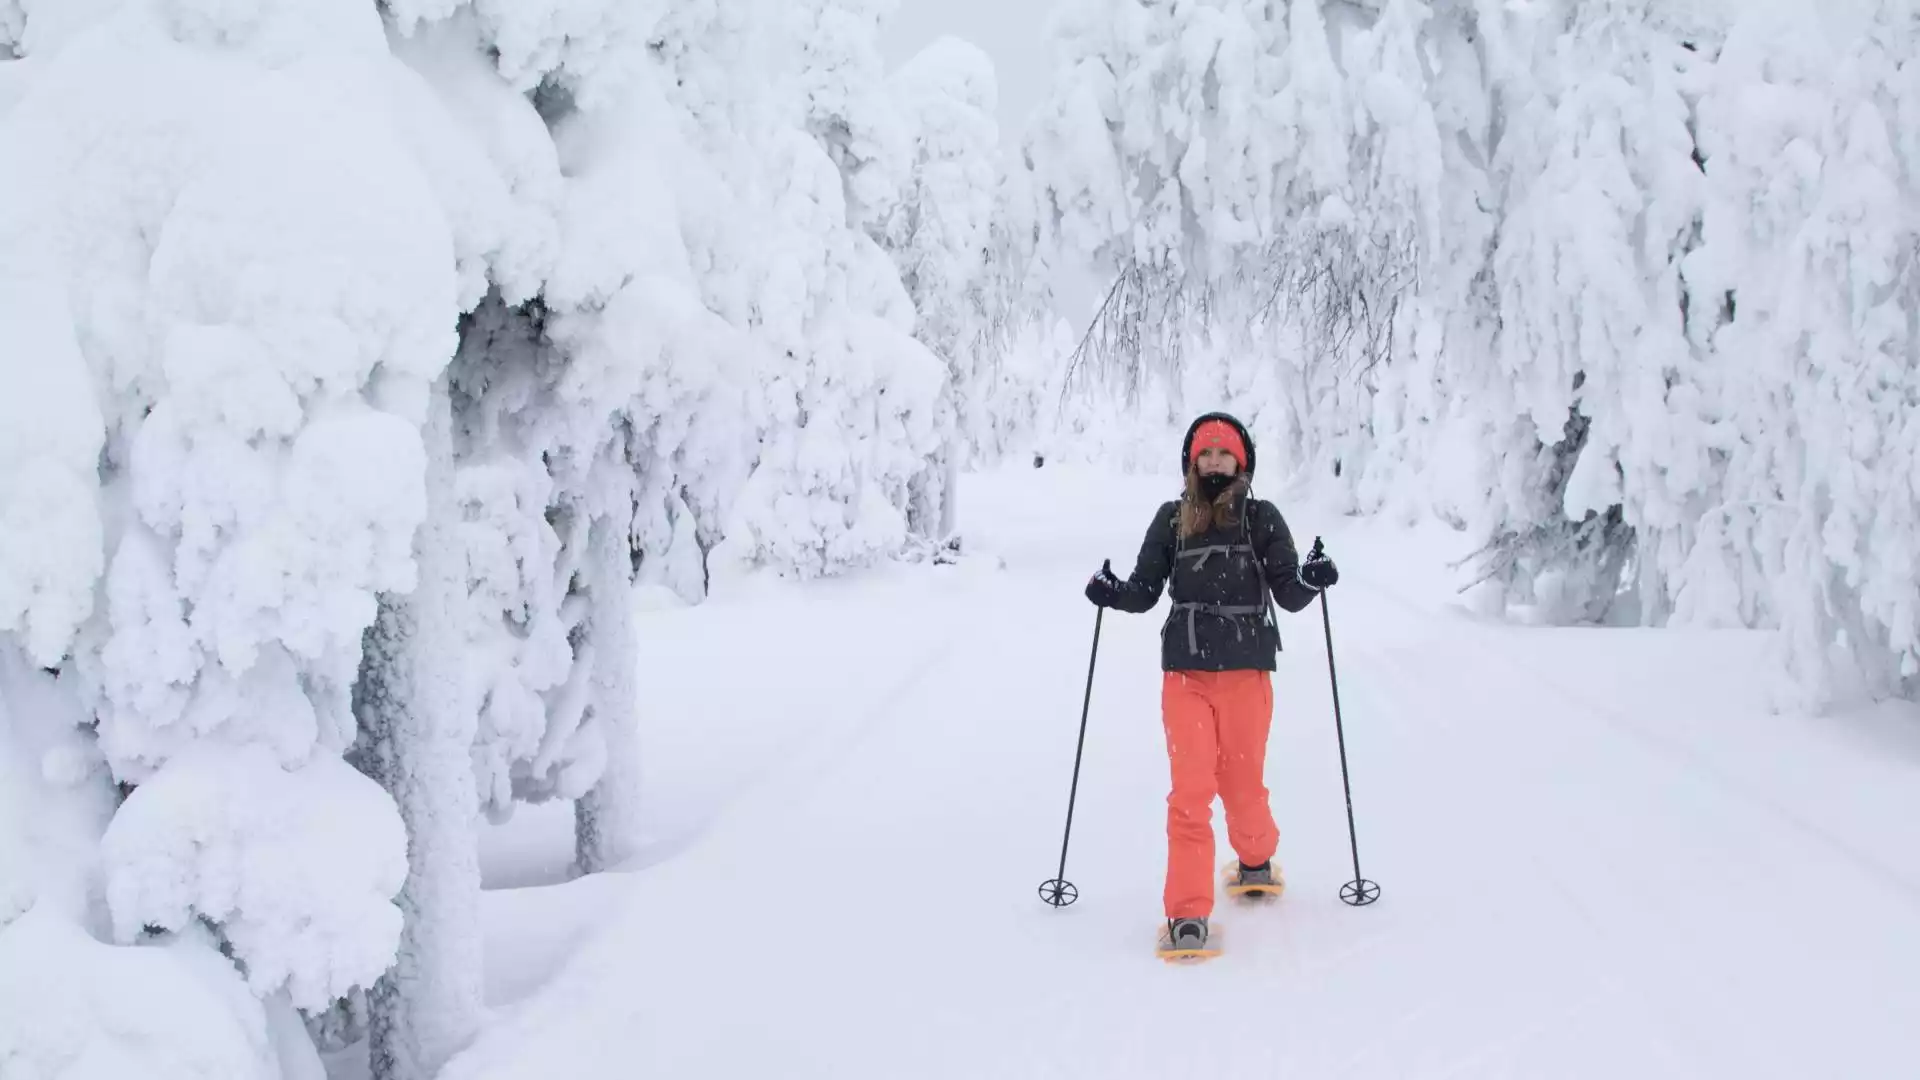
(1218, 725)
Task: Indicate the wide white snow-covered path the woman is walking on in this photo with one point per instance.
(1596, 860)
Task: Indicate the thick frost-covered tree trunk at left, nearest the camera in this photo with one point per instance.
(420, 731)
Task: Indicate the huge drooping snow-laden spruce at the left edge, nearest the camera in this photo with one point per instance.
(247, 268)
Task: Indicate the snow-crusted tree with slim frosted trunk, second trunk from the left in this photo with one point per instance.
(631, 408)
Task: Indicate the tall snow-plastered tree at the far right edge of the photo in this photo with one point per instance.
(1810, 276)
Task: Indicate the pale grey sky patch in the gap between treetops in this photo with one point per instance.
(1011, 32)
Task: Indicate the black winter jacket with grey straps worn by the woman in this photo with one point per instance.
(1220, 585)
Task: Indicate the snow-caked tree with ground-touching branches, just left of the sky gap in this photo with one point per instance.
(809, 164)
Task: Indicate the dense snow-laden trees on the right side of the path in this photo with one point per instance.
(1627, 289)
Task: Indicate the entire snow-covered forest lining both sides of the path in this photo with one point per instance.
(360, 360)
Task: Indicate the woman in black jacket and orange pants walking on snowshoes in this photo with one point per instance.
(1226, 554)
